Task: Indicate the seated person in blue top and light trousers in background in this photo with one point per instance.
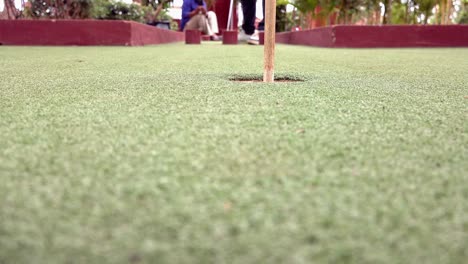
(195, 16)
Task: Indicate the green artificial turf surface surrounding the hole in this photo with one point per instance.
(151, 155)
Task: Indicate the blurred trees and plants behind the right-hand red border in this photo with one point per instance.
(379, 12)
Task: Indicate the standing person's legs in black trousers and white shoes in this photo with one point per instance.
(248, 32)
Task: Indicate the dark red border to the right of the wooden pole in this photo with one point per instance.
(379, 36)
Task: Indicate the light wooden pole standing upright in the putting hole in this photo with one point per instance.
(269, 41)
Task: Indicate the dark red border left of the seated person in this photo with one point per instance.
(83, 33)
